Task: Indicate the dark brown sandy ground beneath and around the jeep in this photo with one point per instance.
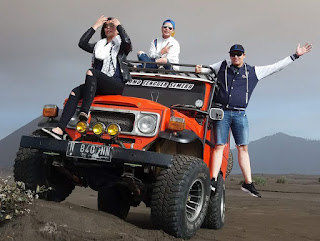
(286, 212)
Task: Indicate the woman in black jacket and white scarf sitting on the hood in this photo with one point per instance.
(108, 74)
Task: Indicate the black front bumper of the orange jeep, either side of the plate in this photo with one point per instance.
(118, 154)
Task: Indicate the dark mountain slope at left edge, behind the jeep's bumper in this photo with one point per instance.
(10, 144)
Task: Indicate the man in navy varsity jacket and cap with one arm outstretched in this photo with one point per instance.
(236, 82)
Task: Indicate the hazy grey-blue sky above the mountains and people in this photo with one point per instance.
(40, 61)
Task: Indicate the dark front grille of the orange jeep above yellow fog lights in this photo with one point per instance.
(124, 120)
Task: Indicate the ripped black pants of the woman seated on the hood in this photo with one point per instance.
(97, 84)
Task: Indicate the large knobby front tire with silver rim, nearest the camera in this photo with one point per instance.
(174, 194)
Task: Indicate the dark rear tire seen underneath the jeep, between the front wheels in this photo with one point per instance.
(115, 200)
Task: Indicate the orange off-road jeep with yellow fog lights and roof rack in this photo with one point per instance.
(153, 144)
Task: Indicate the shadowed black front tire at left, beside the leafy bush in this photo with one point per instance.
(32, 167)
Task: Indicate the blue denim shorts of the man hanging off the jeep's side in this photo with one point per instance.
(238, 122)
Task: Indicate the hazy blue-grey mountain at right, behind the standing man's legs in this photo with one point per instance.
(282, 154)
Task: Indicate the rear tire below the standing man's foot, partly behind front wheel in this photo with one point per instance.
(216, 210)
